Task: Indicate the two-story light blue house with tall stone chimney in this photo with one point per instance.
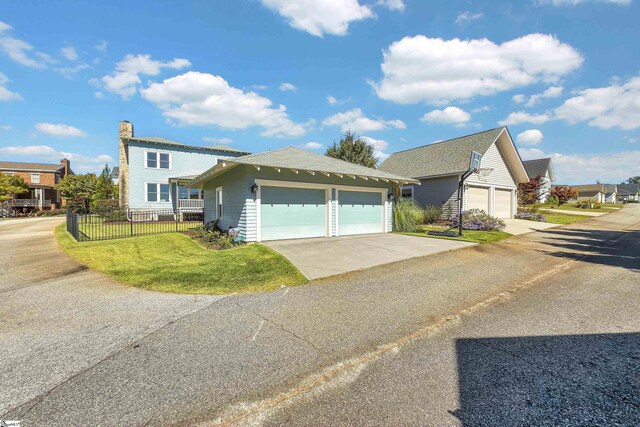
(153, 172)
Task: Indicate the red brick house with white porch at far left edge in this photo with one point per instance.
(42, 178)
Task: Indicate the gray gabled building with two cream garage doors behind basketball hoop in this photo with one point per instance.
(439, 166)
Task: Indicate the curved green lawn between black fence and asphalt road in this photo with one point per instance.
(176, 263)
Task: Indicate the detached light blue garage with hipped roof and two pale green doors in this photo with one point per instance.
(291, 193)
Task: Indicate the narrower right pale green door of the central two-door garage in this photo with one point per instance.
(360, 212)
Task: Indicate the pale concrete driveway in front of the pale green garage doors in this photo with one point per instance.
(324, 257)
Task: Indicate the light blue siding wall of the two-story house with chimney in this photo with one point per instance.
(184, 161)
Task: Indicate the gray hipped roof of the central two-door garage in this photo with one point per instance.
(301, 160)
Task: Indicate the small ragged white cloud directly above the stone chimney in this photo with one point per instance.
(124, 81)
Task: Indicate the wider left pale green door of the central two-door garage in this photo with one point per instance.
(292, 213)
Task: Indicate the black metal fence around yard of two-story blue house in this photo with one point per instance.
(121, 223)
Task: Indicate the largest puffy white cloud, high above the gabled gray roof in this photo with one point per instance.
(439, 71)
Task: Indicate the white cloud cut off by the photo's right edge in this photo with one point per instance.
(607, 107)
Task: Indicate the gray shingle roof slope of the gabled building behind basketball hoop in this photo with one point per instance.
(440, 158)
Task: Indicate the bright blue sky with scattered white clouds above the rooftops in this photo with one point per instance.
(564, 75)
